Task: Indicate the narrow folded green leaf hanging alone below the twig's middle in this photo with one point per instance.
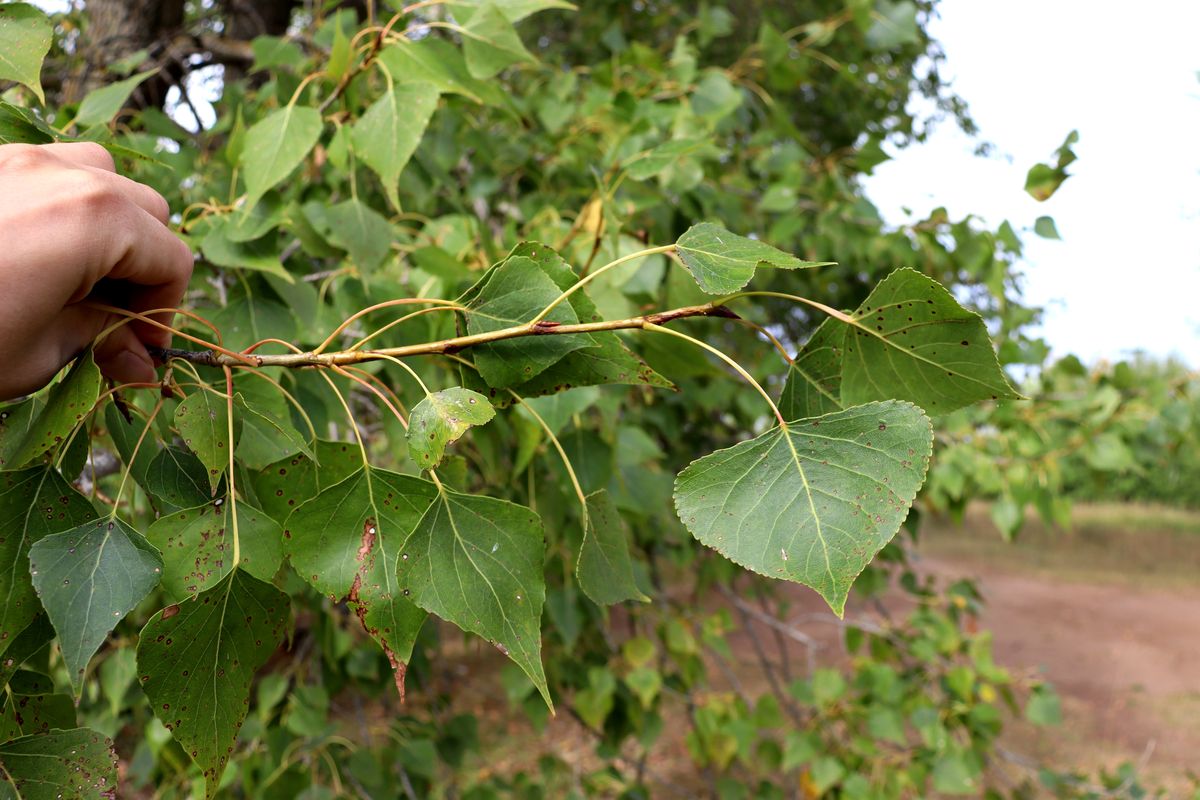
(604, 570)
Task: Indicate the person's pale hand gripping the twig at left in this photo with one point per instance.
(74, 232)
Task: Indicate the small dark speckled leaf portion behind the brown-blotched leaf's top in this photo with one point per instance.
(289, 483)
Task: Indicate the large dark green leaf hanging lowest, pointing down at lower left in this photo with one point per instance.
(197, 660)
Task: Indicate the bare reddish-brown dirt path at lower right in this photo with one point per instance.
(1125, 659)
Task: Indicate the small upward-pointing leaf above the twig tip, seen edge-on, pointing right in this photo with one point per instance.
(723, 263)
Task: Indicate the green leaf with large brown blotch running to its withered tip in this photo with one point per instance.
(346, 543)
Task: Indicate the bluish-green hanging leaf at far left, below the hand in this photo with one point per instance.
(89, 579)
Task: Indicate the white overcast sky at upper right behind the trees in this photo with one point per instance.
(1126, 275)
